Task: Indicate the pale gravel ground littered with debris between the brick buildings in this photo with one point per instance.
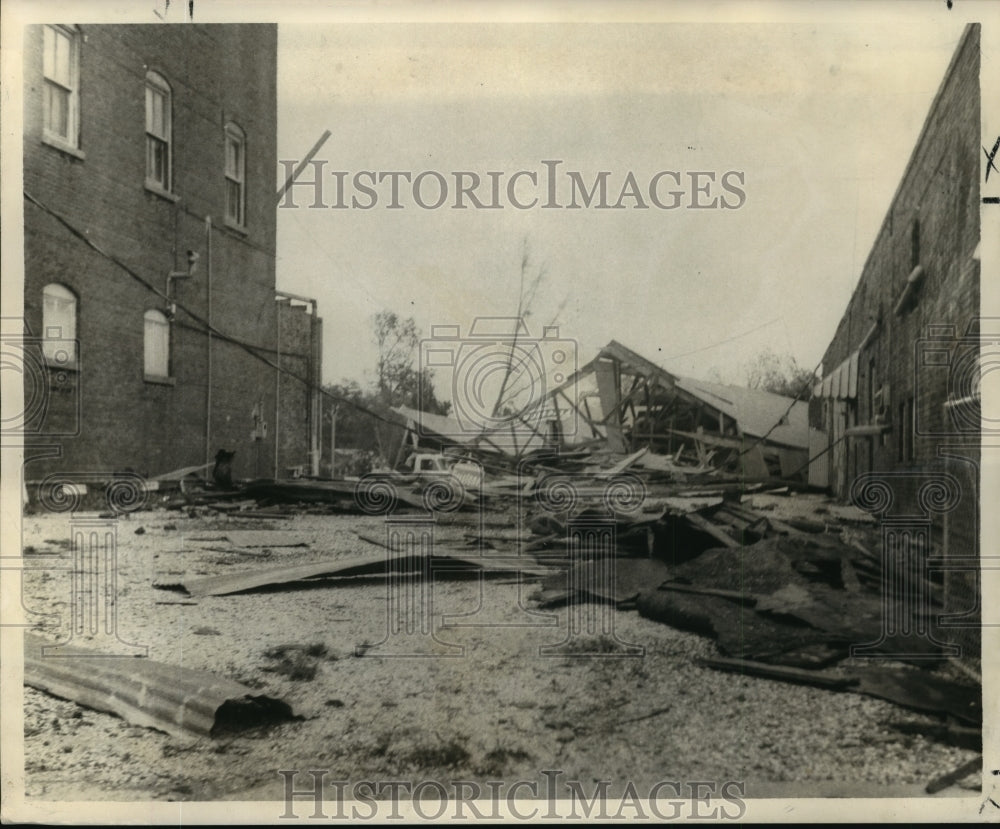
(508, 697)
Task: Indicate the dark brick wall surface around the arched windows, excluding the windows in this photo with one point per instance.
(218, 74)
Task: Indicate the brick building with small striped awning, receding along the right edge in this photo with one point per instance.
(900, 399)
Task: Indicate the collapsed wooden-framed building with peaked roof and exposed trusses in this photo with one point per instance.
(620, 403)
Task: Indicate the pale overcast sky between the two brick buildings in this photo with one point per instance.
(820, 119)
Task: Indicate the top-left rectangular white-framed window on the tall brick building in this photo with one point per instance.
(61, 70)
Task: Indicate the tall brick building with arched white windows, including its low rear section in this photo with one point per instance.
(149, 214)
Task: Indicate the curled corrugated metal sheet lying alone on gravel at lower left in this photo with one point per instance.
(170, 698)
